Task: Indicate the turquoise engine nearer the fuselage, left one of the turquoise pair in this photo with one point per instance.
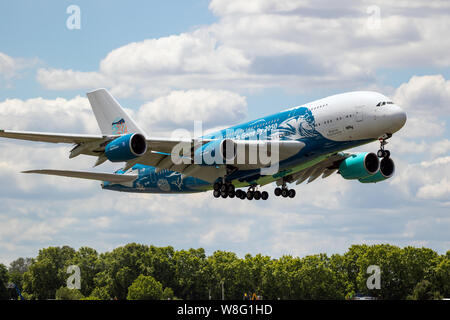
(359, 166)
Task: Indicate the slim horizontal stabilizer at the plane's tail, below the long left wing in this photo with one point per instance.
(111, 177)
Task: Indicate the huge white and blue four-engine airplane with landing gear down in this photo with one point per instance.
(295, 145)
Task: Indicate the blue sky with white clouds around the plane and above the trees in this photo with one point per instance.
(221, 62)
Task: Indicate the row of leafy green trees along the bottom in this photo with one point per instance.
(137, 271)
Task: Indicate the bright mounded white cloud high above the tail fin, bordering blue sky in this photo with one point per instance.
(185, 53)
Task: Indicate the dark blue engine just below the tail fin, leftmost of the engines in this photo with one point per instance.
(126, 147)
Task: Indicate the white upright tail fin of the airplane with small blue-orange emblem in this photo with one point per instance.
(111, 117)
